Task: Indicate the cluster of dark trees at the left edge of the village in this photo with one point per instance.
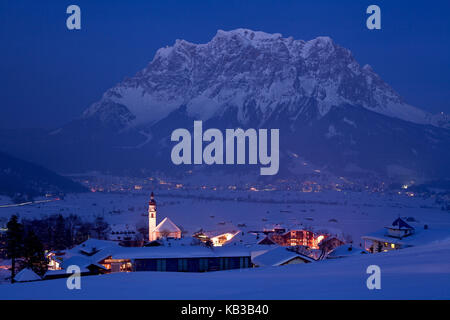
(26, 242)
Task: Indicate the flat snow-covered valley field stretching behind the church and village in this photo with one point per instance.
(351, 213)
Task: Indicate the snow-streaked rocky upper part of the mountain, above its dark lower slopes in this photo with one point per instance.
(257, 74)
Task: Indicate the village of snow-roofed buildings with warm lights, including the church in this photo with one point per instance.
(166, 247)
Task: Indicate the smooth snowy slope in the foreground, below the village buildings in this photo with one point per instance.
(413, 273)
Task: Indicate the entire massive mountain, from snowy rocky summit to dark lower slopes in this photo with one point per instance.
(329, 109)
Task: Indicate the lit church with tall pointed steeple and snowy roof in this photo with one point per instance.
(165, 229)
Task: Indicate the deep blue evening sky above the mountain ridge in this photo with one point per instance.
(49, 74)
